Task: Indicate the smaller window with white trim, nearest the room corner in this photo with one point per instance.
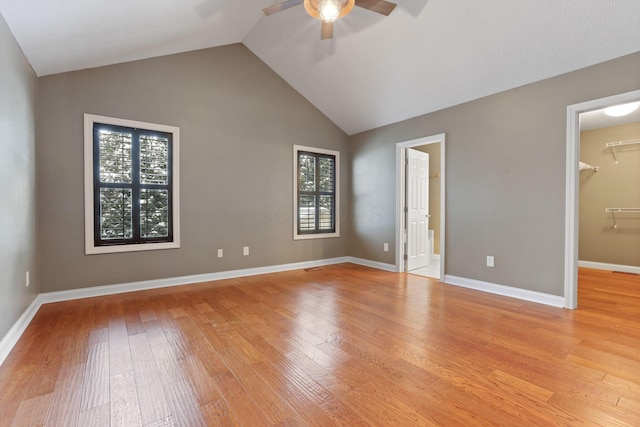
(316, 193)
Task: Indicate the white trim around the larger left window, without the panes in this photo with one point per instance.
(90, 247)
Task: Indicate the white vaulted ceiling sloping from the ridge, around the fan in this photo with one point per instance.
(427, 55)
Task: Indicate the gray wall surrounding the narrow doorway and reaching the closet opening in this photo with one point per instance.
(505, 165)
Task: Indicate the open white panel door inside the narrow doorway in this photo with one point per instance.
(417, 201)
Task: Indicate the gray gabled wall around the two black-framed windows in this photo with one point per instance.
(238, 123)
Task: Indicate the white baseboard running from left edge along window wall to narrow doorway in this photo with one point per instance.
(11, 338)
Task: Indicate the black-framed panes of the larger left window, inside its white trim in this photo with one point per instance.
(133, 202)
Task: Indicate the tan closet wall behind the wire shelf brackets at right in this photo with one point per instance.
(613, 186)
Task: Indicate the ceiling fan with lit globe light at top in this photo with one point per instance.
(329, 10)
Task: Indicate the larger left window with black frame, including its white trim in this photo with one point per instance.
(131, 185)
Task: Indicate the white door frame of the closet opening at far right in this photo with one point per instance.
(572, 187)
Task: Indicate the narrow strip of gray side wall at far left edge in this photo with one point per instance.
(18, 87)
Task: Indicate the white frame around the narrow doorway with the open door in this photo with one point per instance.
(400, 197)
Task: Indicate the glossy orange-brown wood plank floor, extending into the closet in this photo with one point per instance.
(341, 345)
